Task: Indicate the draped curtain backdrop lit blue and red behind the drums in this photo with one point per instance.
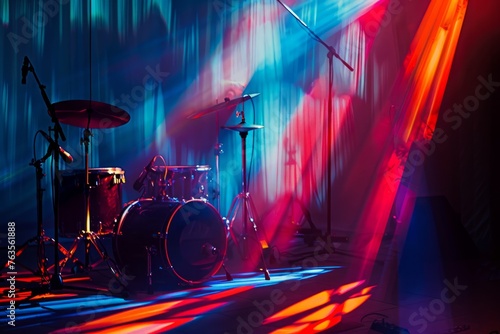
(163, 61)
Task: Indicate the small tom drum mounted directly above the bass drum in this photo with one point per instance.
(181, 183)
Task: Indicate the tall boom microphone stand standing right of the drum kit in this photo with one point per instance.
(331, 53)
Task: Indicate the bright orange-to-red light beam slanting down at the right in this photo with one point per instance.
(418, 90)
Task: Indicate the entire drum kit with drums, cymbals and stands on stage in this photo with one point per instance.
(171, 232)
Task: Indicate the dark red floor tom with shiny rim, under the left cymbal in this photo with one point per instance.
(105, 200)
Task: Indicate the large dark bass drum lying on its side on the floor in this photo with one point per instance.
(186, 242)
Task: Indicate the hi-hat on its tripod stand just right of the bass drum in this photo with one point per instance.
(243, 199)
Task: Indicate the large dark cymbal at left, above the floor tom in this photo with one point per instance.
(91, 114)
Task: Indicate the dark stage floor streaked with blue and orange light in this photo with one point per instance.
(312, 288)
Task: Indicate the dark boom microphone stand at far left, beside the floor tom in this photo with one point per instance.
(56, 279)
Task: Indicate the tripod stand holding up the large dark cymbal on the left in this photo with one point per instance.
(88, 237)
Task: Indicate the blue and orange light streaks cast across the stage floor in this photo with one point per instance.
(164, 312)
